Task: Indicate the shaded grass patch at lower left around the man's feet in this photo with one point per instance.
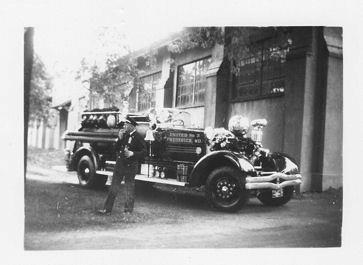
(59, 207)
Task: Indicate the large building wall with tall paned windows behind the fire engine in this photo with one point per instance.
(300, 95)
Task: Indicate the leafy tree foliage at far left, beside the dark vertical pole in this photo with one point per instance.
(40, 92)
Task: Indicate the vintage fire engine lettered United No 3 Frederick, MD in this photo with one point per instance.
(230, 165)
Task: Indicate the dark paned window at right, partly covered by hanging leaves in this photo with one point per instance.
(261, 73)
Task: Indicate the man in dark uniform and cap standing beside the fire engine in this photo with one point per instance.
(130, 150)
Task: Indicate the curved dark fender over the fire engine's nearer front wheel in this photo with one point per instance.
(216, 159)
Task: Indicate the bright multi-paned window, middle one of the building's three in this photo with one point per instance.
(192, 83)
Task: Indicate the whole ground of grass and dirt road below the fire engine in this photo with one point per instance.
(61, 215)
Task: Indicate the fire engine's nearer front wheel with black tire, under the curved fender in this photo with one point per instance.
(225, 189)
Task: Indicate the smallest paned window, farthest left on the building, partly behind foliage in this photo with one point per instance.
(147, 91)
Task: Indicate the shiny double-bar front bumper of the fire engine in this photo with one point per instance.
(281, 180)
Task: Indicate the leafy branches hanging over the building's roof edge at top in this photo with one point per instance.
(239, 42)
